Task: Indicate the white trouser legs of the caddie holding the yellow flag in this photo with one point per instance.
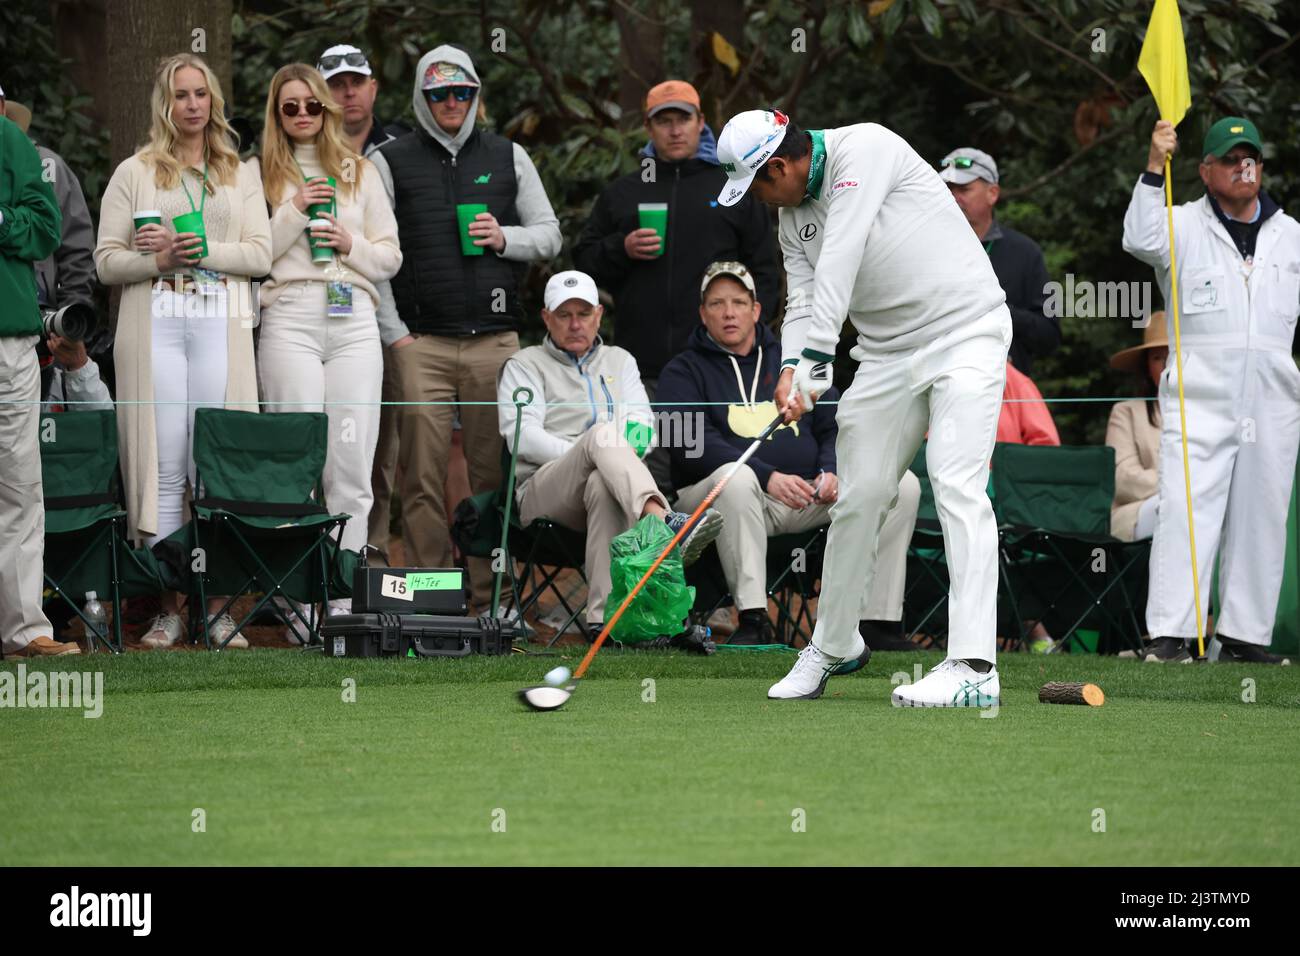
(1243, 427)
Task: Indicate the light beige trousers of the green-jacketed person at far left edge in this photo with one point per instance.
(23, 512)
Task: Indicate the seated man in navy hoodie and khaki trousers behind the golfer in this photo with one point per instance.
(730, 371)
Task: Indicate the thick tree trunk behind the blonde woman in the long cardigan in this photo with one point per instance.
(140, 34)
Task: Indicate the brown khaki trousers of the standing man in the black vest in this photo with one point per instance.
(443, 370)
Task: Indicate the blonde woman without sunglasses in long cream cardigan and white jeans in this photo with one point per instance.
(185, 327)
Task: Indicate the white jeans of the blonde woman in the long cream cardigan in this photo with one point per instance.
(189, 373)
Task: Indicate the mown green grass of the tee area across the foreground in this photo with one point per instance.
(436, 763)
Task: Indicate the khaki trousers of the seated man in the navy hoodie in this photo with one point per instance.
(751, 517)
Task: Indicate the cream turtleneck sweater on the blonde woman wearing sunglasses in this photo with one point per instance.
(367, 215)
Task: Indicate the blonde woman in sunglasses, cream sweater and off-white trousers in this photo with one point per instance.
(320, 341)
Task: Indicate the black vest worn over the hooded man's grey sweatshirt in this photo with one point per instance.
(439, 291)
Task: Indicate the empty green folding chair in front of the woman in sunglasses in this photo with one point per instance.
(258, 525)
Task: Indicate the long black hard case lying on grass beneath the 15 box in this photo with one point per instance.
(415, 635)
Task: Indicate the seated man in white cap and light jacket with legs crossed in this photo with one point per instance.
(577, 465)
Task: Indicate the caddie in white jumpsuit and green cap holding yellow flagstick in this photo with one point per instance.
(1238, 259)
